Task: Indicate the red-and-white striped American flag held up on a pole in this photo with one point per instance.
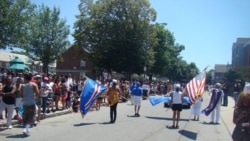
(196, 86)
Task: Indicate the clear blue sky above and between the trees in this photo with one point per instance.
(207, 28)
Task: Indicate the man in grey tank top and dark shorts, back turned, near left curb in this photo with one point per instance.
(29, 92)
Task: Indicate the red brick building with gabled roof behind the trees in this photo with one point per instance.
(75, 64)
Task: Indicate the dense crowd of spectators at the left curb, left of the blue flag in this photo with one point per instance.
(24, 94)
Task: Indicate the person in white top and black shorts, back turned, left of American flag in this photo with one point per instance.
(176, 105)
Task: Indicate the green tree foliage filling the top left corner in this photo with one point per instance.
(14, 15)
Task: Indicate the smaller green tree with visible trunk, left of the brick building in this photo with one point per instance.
(48, 36)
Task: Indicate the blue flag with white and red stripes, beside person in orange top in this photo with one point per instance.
(91, 91)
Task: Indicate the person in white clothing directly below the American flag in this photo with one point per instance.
(196, 107)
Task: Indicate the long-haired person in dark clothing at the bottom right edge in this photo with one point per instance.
(241, 118)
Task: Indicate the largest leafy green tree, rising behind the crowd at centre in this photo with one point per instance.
(117, 33)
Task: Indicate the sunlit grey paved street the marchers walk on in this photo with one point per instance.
(151, 126)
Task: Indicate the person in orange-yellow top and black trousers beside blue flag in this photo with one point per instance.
(113, 99)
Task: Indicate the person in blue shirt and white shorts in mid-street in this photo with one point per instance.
(137, 96)
